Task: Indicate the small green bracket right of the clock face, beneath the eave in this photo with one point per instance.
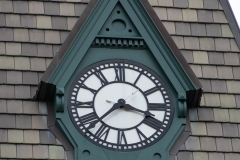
(182, 105)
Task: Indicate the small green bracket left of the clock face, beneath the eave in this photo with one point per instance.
(59, 100)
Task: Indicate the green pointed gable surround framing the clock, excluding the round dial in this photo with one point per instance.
(120, 29)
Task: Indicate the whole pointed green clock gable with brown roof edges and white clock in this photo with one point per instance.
(119, 88)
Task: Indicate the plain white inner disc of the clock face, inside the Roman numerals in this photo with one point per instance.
(117, 93)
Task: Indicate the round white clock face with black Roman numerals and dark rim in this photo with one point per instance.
(120, 105)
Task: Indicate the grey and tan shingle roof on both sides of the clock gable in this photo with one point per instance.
(31, 33)
